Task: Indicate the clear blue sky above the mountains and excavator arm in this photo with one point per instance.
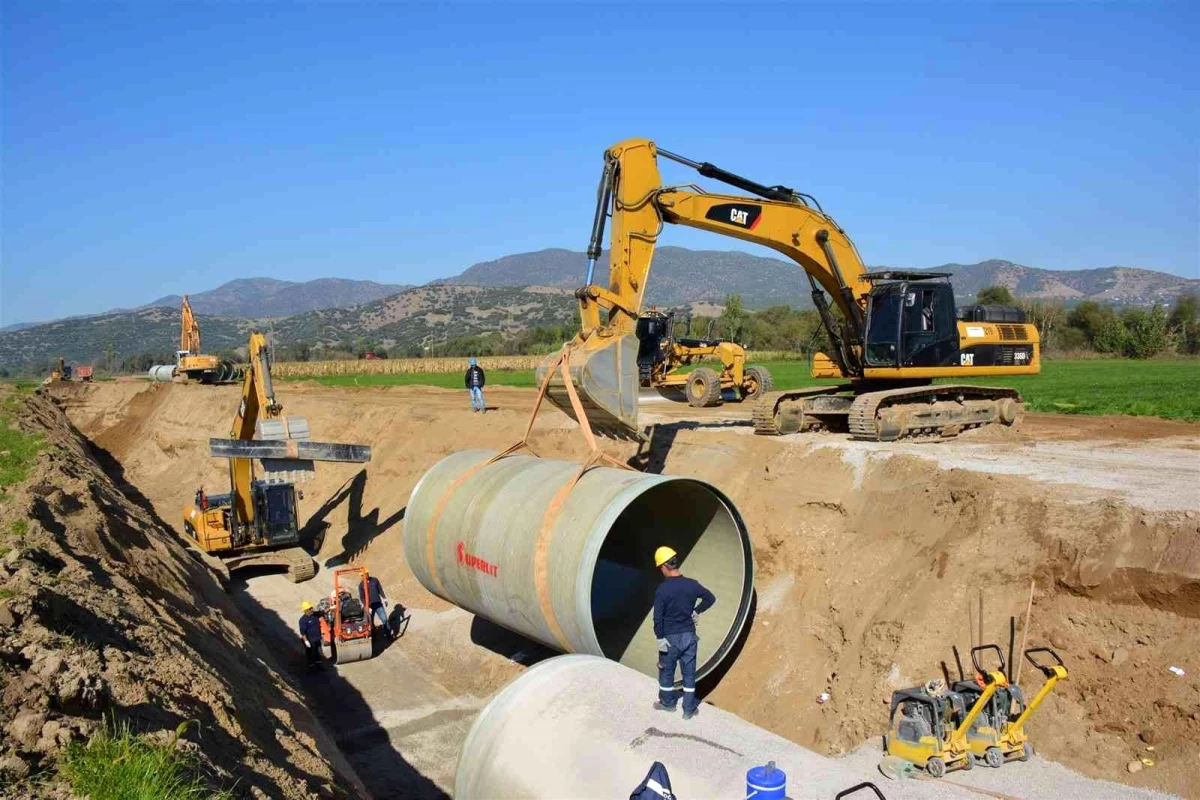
(157, 148)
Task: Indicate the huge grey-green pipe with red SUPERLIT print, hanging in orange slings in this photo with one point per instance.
(578, 573)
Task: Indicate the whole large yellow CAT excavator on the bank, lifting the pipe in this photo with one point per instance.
(895, 334)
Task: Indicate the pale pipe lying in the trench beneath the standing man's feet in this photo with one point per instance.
(584, 727)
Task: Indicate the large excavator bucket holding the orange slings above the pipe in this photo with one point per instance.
(604, 374)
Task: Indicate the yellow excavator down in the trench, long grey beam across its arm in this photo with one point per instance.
(256, 524)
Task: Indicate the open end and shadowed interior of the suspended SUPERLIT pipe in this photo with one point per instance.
(691, 519)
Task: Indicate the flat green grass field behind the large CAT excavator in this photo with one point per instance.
(1169, 389)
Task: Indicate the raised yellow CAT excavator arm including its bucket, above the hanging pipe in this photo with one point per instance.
(602, 360)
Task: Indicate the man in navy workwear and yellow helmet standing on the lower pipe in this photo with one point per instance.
(675, 628)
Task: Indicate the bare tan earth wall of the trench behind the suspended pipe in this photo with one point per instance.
(867, 564)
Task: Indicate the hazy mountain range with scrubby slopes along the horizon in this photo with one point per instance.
(507, 296)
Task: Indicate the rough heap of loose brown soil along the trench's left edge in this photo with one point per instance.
(106, 616)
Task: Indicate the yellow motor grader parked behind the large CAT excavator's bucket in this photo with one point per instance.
(662, 356)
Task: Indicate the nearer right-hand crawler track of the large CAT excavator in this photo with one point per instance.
(931, 412)
